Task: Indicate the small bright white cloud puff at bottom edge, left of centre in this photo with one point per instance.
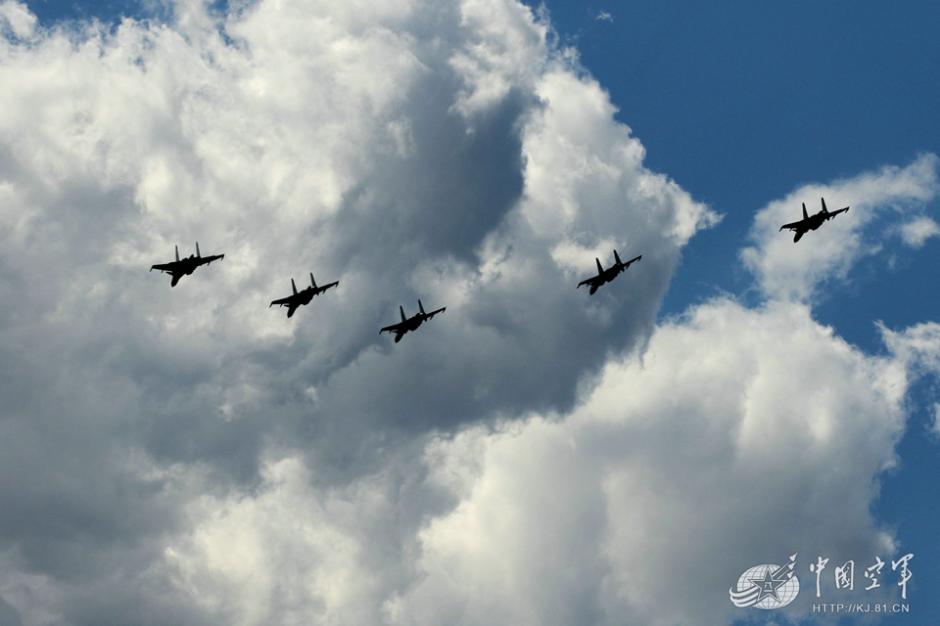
(290, 554)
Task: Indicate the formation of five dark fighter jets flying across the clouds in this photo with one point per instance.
(184, 267)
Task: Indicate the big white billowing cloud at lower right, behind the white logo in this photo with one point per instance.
(720, 450)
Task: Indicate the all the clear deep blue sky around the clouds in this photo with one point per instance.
(742, 102)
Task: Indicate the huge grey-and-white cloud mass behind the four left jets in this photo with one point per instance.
(436, 150)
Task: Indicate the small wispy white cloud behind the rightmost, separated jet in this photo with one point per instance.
(880, 201)
